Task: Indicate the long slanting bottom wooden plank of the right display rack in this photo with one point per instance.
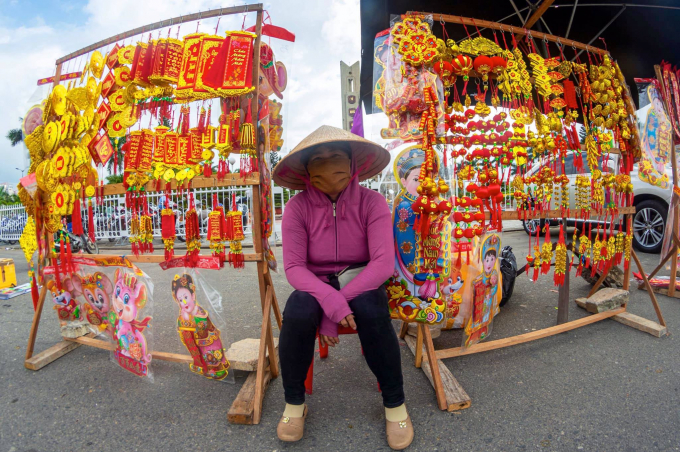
(527, 337)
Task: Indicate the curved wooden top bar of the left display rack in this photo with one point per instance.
(162, 24)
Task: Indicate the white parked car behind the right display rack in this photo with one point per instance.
(649, 222)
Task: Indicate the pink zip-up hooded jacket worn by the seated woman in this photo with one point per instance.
(321, 238)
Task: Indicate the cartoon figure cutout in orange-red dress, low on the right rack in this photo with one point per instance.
(483, 289)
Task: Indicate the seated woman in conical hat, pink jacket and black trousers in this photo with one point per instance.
(338, 251)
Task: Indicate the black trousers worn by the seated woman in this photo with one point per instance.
(301, 319)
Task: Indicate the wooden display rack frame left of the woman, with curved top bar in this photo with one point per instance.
(247, 408)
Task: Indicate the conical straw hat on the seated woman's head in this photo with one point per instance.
(370, 158)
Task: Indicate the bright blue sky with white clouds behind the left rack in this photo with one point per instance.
(34, 33)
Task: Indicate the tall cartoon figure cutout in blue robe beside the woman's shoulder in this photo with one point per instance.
(414, 295)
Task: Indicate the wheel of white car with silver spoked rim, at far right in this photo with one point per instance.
(649, 224)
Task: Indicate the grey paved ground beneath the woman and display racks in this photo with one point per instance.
(604, 387)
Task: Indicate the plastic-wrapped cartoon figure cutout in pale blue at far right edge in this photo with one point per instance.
(656, 136)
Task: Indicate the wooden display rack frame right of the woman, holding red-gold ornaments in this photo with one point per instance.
(450, 395)
